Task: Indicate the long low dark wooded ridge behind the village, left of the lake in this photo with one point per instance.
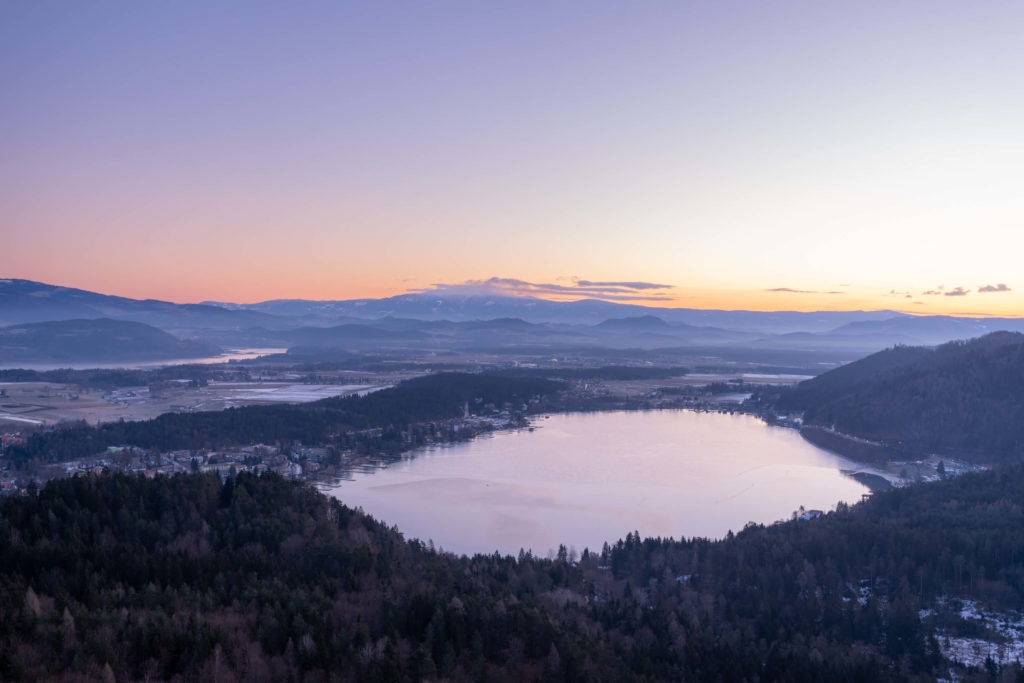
(437, 397)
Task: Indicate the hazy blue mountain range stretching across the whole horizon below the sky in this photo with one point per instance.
(442, 321)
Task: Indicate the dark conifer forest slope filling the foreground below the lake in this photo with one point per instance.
(262, 579)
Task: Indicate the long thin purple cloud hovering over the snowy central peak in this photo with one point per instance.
(580, 289)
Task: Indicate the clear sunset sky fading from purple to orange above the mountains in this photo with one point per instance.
(715, 155)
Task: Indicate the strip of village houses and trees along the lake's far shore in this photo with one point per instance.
(366, 448)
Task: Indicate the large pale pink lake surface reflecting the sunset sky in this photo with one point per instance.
(582, 480)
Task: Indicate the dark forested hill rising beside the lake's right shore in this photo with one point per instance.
(963, 400)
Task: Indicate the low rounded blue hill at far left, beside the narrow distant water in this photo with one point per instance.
(84, 340)
